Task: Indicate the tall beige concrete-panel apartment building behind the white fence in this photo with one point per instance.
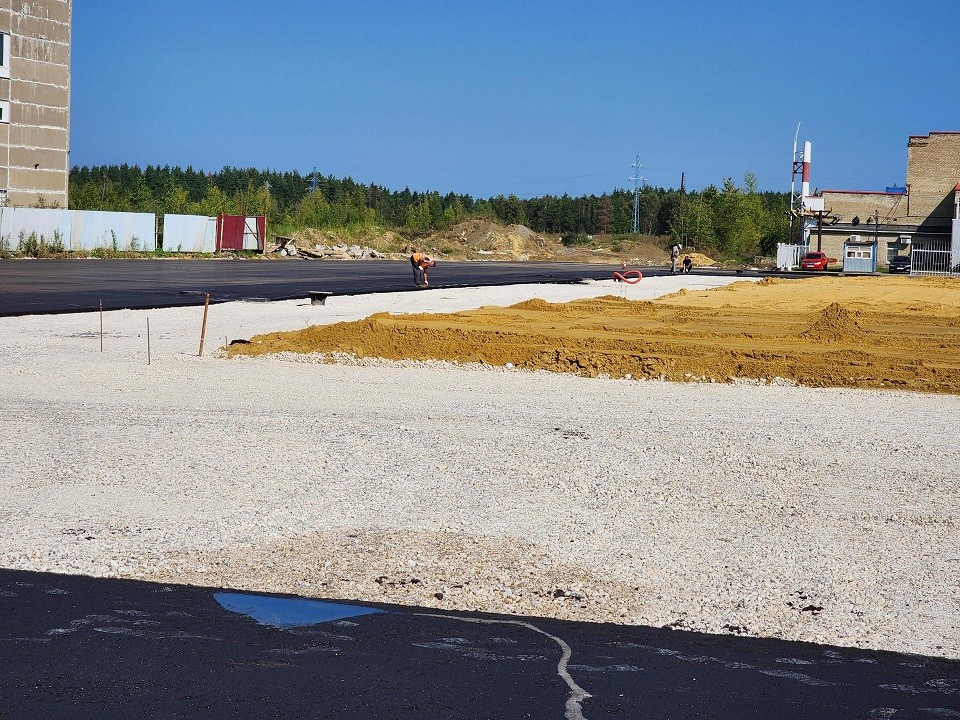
(34, 102)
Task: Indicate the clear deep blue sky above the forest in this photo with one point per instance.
(516, 97)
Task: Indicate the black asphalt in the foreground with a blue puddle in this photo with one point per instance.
(75, 647)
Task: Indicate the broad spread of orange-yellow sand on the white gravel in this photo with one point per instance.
(839, 332)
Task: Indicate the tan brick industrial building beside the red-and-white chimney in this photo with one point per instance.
(920, 219)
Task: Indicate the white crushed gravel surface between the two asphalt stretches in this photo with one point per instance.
(808, 514)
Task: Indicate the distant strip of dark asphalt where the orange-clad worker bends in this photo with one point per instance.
(54, 286)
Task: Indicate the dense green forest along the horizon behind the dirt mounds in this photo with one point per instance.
(735, 220)
